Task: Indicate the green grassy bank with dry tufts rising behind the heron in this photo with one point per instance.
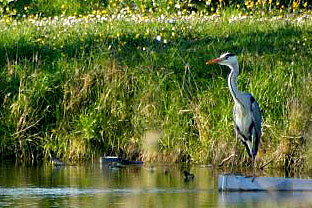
(79, 87)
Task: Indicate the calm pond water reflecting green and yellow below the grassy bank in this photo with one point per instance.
(131, 186)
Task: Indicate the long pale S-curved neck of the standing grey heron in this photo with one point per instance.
(232, 82)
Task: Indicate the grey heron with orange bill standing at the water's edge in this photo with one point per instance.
(246, 111)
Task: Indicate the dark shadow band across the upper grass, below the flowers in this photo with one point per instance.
(173, 55)
